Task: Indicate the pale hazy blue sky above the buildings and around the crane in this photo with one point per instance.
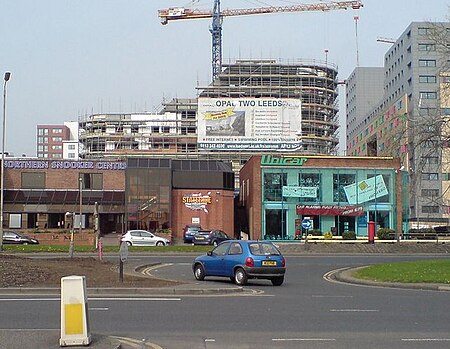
(71, 58)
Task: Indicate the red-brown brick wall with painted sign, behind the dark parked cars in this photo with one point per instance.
(220, 213)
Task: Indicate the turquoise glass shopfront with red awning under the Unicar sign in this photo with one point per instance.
(333, 199)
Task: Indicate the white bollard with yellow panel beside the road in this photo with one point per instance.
(74, 312)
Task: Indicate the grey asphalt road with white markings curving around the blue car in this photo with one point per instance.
(305, 312)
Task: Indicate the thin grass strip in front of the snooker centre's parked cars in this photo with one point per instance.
(63, 249)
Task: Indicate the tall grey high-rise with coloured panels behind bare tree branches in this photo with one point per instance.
(408, 121)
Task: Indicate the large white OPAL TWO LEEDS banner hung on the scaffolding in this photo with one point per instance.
(251, 124)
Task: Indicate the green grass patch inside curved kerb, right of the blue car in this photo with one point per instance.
(426, 271)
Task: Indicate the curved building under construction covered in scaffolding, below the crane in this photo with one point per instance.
(174, 131)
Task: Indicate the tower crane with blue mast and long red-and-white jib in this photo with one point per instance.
(178, 13)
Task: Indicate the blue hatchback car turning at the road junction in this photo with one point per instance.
(241, 260)
